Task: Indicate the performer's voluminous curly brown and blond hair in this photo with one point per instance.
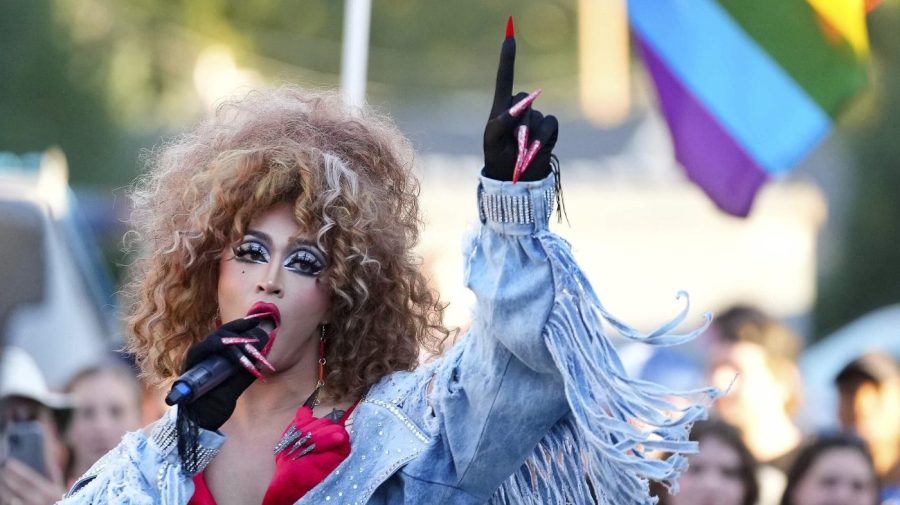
(347, 174)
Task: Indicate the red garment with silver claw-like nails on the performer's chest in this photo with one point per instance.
(311, 448)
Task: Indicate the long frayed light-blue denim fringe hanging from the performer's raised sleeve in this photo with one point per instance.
(602, 451)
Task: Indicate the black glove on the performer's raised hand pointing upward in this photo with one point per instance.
(500, 143)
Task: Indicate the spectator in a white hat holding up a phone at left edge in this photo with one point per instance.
(25, 400)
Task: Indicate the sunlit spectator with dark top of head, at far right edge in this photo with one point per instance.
(869, 406)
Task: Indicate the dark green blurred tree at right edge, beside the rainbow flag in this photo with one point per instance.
(868, 273)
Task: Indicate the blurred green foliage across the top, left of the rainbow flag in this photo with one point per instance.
(102, 77)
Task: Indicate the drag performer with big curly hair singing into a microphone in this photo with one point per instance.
(292, 218)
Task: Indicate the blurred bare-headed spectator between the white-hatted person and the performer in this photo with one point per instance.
(107, 405)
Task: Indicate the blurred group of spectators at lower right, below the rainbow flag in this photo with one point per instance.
(753, 451)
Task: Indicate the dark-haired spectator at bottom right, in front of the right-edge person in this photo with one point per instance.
(832, 470)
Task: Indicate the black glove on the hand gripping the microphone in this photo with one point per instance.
(211, 410)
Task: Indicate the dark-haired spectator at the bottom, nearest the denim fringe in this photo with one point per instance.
(723, 472)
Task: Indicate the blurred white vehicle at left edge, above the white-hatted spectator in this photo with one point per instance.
(56, 299)
